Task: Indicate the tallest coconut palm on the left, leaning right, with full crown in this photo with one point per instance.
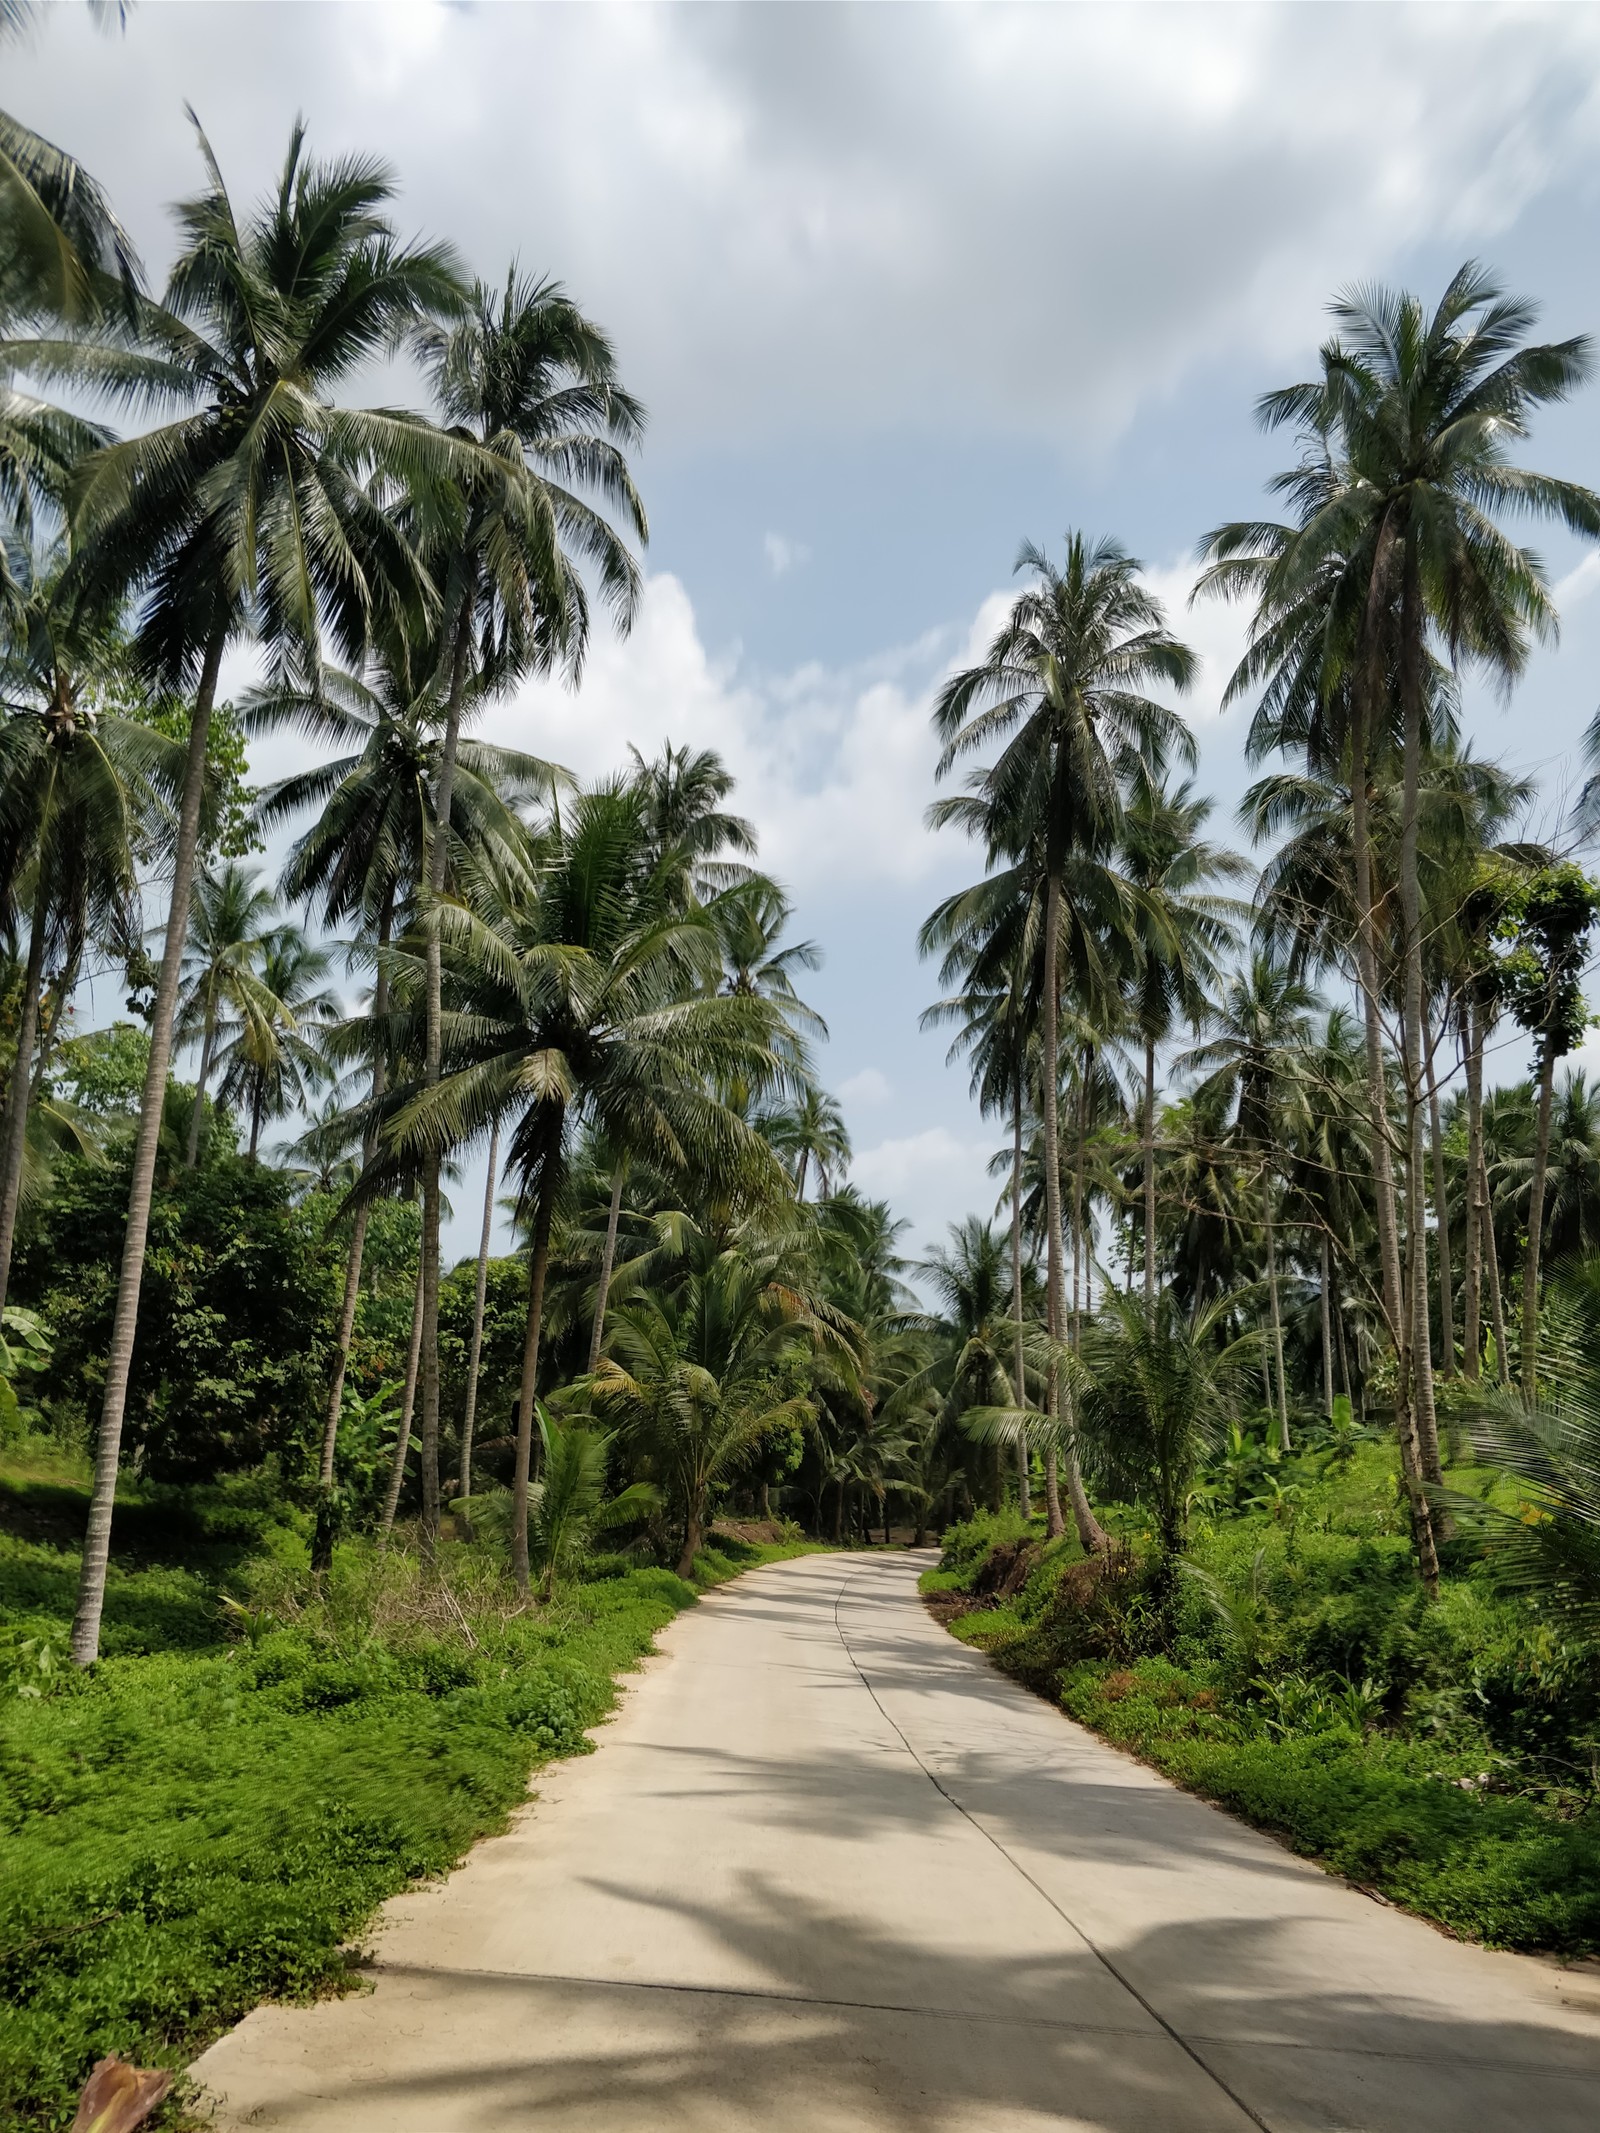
(244, 515)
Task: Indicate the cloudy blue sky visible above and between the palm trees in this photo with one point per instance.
(903, 287)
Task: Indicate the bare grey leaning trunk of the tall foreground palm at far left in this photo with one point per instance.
(142, 1187)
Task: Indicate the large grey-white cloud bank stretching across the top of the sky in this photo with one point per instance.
(773, 221)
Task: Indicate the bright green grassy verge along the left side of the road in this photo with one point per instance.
(217, 1812)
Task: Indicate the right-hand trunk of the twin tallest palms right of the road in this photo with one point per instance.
(1411, 923)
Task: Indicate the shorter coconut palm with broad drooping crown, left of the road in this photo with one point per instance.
(588, 1001)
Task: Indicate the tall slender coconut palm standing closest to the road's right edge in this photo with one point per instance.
(1061, 694)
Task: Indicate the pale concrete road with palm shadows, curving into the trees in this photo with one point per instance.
(831, 1872)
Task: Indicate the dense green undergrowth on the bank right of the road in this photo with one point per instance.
(1441, 1754)
